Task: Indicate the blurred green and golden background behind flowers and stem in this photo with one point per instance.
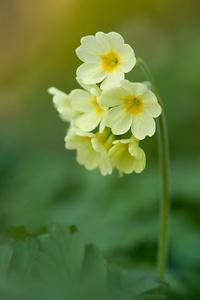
(40, 182)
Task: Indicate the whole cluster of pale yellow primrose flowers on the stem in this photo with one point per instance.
(108, 115)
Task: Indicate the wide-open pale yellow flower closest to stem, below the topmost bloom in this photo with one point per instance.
(132, 106)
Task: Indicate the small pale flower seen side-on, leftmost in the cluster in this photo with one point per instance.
(62, 103)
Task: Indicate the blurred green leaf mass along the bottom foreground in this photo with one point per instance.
(58, 265)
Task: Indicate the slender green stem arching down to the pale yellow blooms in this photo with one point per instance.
(164, 165)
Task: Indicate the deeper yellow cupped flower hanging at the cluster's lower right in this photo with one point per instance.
(127, 156)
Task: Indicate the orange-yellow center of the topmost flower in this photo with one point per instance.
(110, 61)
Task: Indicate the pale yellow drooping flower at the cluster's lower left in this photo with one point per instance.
(92, 149)
